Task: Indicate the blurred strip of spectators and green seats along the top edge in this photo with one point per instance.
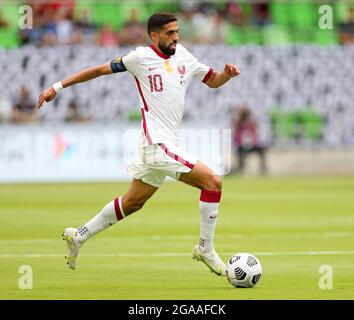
(119, 23)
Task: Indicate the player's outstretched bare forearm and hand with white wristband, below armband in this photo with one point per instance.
(81, 76)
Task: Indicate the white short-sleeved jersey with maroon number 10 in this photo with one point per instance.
(162, 82)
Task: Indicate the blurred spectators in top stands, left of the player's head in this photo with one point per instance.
(58, 23)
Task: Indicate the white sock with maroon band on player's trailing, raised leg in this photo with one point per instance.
(108, 216)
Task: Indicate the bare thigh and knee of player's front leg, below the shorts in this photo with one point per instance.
(202, 177)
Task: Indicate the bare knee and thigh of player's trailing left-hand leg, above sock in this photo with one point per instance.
(138, 193)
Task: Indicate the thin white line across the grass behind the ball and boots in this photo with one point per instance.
(168, 254)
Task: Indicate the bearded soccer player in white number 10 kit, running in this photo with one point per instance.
(162, 72)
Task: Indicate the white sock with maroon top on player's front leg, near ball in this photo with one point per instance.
(209, 208)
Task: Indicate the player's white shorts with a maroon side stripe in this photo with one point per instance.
(157, 161)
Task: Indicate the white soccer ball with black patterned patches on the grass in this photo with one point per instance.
(243, 270)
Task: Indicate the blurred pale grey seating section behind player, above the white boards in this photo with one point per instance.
(290, 76)
